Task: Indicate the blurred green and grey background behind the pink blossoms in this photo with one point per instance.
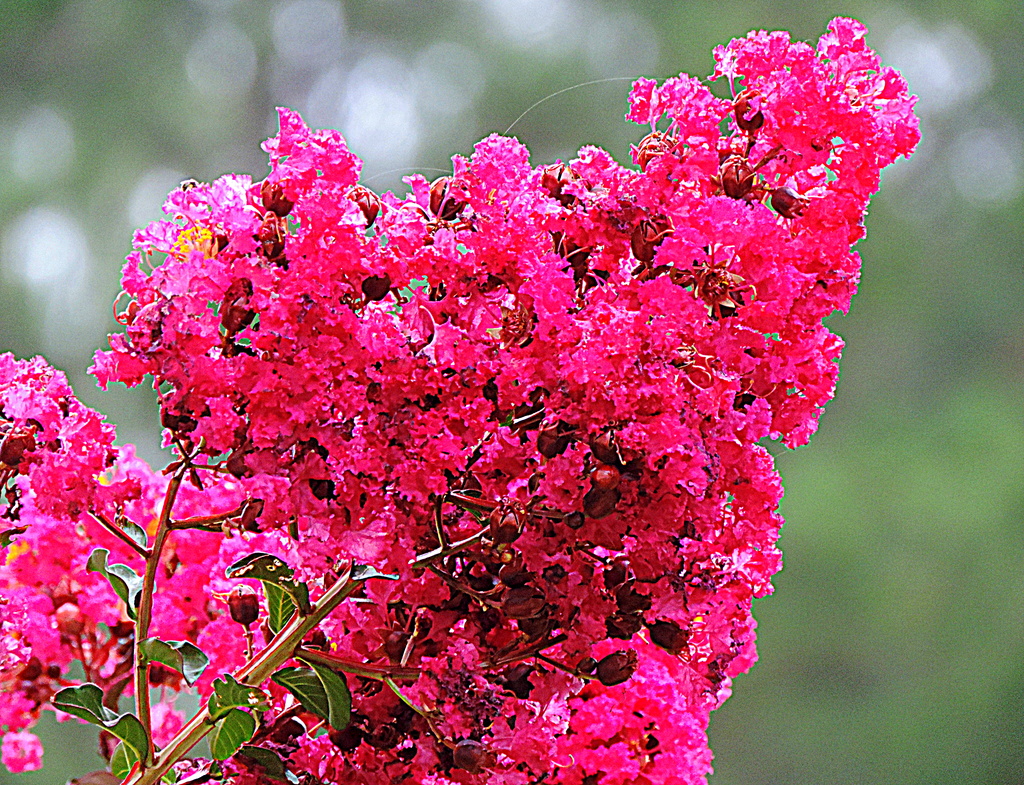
(892, 651)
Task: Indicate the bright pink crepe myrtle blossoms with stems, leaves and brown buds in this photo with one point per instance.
(470, 485)
